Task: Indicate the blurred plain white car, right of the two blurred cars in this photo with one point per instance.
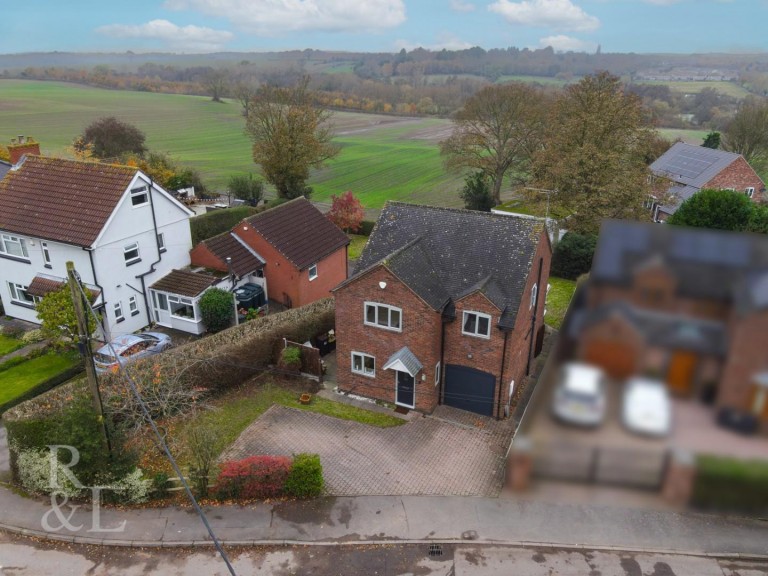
(647, 408)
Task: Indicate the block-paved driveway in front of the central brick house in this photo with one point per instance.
(428, 455)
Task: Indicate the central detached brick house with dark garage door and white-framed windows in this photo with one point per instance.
(444, 309)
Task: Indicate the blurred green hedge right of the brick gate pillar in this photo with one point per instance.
(731, 485)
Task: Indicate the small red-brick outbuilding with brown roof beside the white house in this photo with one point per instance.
(301, 253)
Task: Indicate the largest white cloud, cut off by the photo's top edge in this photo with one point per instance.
(271, 17)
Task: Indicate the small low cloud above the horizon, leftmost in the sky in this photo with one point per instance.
(183, 38)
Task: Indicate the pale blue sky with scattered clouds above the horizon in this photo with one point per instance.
(201, 26)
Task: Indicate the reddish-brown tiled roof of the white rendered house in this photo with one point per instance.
(61, 200)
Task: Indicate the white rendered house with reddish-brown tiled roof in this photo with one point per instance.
(122, 231)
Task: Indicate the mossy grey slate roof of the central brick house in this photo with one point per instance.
(443, 254)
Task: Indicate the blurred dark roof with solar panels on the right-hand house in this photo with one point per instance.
(707, 263)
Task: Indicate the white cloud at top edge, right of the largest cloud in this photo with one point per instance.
(556, 14)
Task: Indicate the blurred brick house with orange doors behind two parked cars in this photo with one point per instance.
(687, 305)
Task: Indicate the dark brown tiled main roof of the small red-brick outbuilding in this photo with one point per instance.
(299, 231)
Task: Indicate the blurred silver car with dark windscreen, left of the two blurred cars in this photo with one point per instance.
(580, 394)
